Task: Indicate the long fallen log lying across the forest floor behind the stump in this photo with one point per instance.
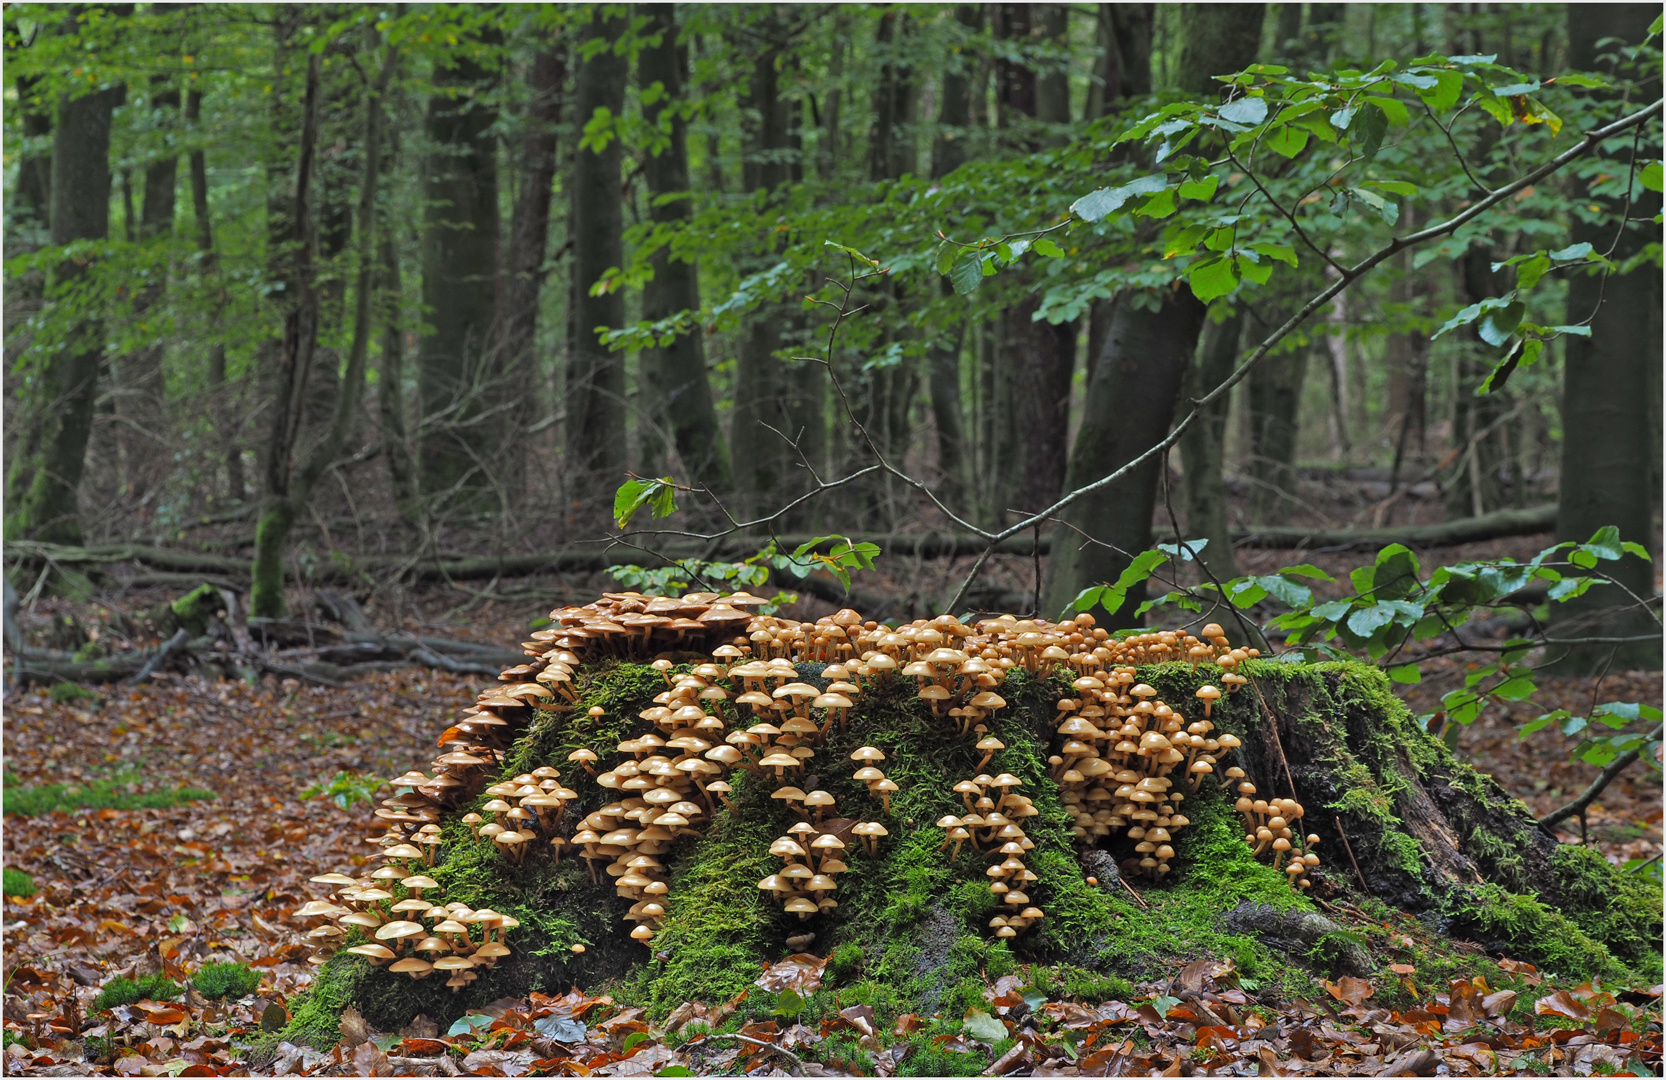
(591, 559)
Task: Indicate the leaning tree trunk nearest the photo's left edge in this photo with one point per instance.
(51, 454)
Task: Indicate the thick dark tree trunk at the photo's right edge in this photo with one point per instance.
(1610, 466)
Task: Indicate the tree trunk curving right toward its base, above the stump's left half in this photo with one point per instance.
(679, 371)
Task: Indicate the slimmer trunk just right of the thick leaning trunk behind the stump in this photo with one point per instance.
(1204, 447)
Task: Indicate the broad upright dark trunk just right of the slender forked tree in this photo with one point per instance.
(459, 289)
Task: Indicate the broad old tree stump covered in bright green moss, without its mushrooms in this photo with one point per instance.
(910, 932)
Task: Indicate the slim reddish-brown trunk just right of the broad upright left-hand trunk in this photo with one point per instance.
(526, 271)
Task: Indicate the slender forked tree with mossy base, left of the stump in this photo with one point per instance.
(291, 491)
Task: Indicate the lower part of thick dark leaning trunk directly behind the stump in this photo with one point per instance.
(1130, 407)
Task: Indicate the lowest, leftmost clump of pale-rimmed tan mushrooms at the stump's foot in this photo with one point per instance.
(396, 924)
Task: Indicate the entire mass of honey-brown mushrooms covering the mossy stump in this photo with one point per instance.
(1124, 761)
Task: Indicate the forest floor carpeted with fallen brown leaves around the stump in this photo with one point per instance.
(171, 826)
